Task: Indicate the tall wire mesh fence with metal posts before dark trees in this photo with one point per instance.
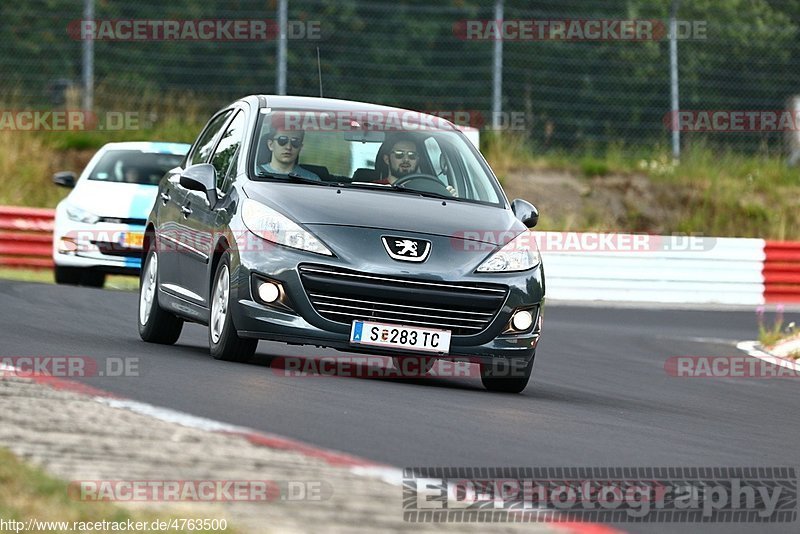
(574, 89)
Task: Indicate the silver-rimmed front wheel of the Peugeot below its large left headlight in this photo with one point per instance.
(223, 341)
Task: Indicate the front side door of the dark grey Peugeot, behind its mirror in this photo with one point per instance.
(205, 221)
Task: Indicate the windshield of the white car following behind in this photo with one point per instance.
(134, 167)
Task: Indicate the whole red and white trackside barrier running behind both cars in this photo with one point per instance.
(725, 270)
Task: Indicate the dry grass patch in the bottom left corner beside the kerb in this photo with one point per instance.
(28, 493)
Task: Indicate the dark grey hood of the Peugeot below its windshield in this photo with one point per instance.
(399, 212)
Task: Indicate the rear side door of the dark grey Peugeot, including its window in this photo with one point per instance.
(176, 237)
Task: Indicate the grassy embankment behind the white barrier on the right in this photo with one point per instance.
(709, 192)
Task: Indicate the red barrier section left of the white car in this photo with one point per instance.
(26, 237)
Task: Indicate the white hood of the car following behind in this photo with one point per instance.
(114, 199)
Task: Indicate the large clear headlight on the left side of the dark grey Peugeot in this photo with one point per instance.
(268, 224)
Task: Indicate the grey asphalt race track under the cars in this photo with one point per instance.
(600, 395)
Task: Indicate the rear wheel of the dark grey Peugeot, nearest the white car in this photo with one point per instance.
(156, 325)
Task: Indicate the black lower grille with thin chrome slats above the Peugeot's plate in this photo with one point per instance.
(342, 296)
